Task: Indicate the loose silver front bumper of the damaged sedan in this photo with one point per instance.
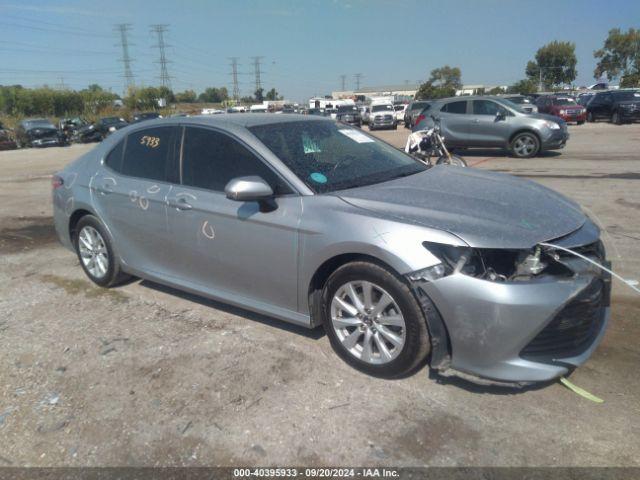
(495, 330)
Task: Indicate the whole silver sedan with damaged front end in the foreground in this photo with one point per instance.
(320, 224)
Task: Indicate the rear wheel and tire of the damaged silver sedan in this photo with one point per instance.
(95, 253)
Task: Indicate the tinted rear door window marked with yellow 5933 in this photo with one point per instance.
(149, 154)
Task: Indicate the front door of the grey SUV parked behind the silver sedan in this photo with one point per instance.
(486, 128)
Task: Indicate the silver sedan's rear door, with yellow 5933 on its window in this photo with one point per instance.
(130, 191)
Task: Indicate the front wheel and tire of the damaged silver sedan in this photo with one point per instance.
(373, 320)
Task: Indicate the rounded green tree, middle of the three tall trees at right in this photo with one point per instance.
(554, 64)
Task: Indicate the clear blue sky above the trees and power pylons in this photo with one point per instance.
(306, 45)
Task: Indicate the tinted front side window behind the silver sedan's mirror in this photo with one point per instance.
(211, 159)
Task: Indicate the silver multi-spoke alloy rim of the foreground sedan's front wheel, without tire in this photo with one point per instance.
(368, 322)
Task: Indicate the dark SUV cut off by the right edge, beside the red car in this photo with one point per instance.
(618, 106)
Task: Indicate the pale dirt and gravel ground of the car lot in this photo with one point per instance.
(144, 375)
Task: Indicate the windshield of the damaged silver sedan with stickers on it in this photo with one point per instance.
(328, 157)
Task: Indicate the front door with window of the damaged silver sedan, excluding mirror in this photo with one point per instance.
(226, 247)
